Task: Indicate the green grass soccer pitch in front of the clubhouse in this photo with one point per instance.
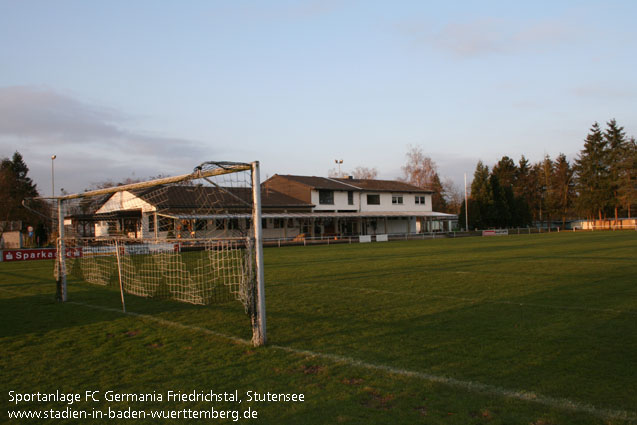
(533, 329)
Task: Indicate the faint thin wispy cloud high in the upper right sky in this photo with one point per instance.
(489, 36)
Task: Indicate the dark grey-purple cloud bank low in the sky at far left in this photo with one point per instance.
(43, 117)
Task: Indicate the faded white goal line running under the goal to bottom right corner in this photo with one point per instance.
(471, 386)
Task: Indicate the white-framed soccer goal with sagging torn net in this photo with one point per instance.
(193, 238)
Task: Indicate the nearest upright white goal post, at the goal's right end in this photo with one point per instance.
(258, 331)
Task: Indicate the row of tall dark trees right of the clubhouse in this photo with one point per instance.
(601, 183)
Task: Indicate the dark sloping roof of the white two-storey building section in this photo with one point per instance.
(328, 183)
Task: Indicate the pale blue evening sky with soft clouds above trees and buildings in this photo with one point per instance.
(133, 89)
